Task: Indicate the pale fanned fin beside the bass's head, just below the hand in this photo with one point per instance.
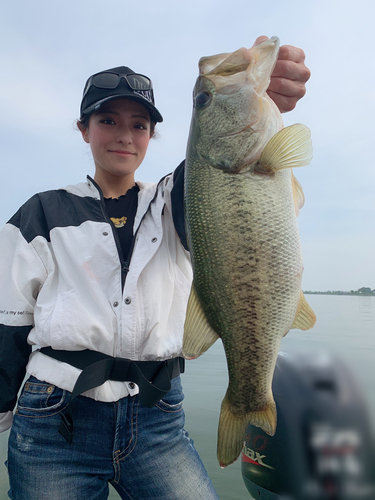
(289, 148)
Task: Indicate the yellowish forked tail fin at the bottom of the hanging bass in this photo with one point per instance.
(232, 429)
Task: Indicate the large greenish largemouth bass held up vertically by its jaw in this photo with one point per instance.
(241, 202)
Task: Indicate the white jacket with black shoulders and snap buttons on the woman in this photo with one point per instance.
(64, 284)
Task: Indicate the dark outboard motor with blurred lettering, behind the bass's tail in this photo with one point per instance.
(323, 447)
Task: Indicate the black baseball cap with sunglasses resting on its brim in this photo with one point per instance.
(117, 83)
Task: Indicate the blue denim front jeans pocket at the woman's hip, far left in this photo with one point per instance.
(41, 399)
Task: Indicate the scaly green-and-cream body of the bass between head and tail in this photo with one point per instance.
(244, 278)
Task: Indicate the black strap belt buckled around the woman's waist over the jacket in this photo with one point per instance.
(152, 377)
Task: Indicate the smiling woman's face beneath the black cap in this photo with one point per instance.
(118, 136)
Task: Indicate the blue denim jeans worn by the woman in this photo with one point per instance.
(144, 453)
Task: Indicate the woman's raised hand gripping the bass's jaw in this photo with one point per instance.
(288, 78)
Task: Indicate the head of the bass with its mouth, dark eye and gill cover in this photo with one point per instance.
(235, 84)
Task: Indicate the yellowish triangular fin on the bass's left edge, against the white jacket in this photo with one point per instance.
(198, 333)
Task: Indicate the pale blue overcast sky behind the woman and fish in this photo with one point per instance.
(49, 49)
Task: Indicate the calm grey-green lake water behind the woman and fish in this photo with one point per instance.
(345, 326)
